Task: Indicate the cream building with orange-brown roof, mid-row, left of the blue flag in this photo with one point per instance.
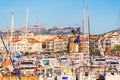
(58, 43)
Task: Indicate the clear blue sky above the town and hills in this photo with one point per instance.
(103, 14)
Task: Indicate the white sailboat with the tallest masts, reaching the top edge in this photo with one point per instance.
(86, 70)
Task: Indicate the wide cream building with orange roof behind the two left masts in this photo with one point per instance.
(25, 45)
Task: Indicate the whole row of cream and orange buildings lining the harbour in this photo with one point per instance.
(63, 43)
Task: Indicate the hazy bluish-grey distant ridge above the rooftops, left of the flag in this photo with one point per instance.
(37, 30)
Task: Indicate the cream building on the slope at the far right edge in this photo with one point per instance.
(108, 41)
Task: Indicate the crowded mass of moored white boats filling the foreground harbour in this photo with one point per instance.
(52, 67)
